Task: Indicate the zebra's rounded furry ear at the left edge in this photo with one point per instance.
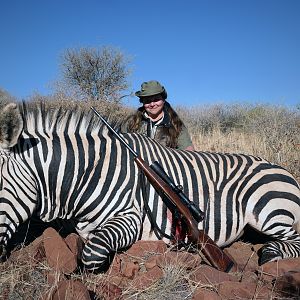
(11, 125)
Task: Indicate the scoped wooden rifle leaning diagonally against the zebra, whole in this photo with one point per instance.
(163, 183)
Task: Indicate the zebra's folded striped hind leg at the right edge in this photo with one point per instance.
(286, 245)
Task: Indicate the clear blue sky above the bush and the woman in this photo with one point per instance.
(213, 51)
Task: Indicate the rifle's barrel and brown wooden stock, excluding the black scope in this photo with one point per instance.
(213, 253)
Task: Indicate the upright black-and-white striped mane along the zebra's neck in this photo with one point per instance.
(39, 117)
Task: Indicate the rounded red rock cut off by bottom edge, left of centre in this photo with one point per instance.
(71, 290)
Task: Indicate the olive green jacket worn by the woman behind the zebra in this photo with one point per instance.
(155, 131)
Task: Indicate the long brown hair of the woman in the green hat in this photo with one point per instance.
(170, 133)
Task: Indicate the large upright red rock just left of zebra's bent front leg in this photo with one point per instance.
(58, 254)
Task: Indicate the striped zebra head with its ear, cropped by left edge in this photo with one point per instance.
(16, 193)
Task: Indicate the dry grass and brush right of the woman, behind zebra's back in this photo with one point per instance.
(270, 132)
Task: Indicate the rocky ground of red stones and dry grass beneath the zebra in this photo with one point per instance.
(49, 268)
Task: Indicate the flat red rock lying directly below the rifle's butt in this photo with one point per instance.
(208, 275)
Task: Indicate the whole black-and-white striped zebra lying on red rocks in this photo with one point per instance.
(69, 166)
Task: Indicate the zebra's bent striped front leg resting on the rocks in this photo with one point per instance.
(117, 233)
